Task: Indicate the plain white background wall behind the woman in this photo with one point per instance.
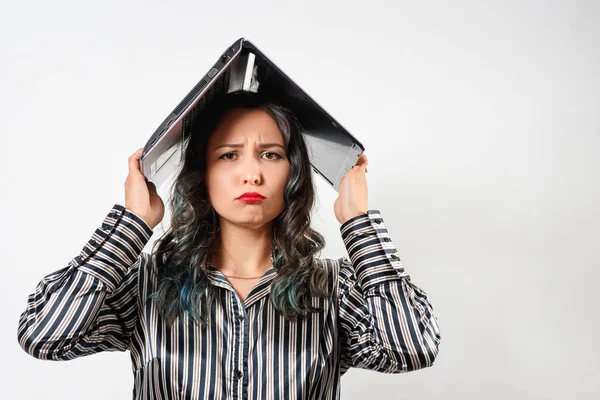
(480, 121)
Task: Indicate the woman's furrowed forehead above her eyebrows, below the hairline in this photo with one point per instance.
(239, 125)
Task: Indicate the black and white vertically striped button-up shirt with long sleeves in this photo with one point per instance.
(377, 319)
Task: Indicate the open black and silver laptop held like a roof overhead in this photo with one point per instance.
(243, 67)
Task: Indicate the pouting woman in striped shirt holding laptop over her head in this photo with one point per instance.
(234, 302)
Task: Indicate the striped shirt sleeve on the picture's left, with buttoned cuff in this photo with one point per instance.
(91, 305)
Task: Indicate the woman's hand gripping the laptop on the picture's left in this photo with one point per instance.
(140, 195)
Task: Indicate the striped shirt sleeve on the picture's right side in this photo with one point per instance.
(387, 322)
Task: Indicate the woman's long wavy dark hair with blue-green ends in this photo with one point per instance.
(181, 254)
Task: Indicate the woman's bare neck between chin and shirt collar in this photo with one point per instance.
(243, 252)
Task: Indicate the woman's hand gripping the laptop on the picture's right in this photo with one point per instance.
(353, 194)
